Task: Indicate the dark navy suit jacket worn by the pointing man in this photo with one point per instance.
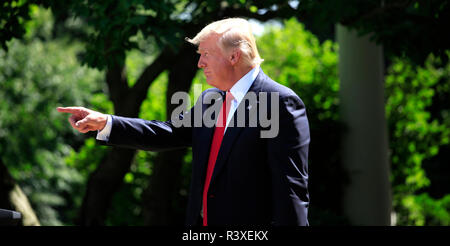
(256, 181)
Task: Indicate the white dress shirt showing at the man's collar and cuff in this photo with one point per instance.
(238, 91)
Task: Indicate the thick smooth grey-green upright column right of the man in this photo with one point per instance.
(367, 199)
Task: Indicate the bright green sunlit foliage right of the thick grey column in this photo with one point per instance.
(419, 125)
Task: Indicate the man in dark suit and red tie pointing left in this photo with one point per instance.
(245, 171)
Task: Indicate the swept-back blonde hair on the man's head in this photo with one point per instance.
(234, 33)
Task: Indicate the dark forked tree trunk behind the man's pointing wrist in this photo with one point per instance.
(108, 176)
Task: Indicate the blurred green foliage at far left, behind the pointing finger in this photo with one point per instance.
(35, 78)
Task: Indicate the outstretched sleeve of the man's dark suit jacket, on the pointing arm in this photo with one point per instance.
(148, 135)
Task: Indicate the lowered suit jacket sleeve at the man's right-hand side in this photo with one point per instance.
(288, 160)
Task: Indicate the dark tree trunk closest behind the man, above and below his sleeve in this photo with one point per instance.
(162, 199)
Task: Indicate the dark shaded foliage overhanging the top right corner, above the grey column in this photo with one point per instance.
(408, 29)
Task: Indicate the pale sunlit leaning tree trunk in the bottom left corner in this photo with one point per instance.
(13, 198)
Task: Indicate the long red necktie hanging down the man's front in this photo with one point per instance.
(215, 146)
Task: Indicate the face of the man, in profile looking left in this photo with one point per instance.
(215, 65)
